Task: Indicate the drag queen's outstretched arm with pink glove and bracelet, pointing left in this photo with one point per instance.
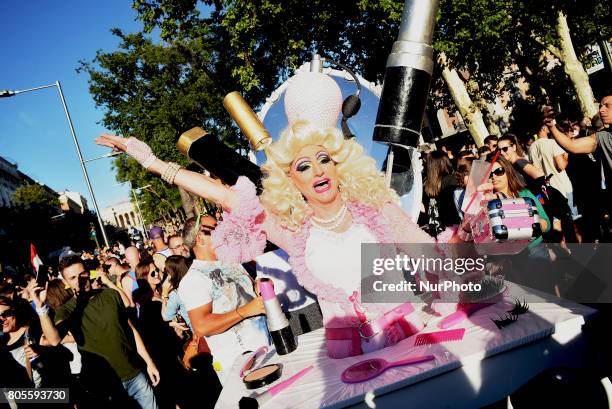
(193, 182)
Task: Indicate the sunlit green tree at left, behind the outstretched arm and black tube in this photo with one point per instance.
(155, 92)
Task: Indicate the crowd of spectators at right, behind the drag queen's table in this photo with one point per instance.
(564, 166)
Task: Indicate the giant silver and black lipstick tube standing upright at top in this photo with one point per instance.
(407, 77)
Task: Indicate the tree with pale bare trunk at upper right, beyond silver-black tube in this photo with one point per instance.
(499, 41)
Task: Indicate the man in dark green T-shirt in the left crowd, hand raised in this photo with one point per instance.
(98, 321)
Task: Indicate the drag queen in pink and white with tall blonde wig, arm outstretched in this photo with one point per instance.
(322, 198)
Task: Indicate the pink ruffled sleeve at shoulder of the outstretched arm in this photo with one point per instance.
(239, 237)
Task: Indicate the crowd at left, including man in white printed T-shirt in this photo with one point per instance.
(142, 319)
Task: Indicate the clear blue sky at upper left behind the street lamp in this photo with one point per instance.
(42, 41)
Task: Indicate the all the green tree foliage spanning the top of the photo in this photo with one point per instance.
(156, 91)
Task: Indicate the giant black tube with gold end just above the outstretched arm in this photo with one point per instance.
(220, 160)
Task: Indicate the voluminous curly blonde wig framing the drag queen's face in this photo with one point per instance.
(358, 178)
